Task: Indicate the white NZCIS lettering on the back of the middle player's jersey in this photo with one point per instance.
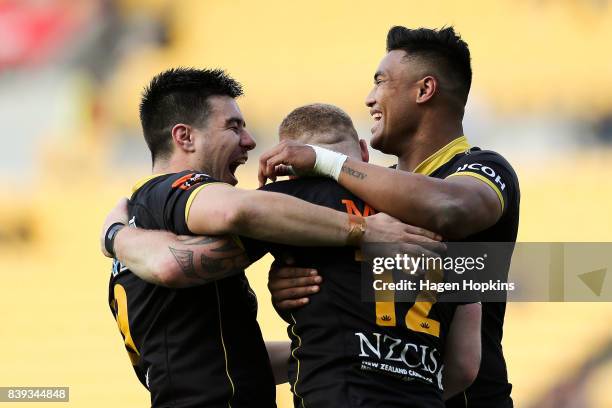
(415, 360)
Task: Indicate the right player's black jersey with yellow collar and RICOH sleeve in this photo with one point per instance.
(457, 159)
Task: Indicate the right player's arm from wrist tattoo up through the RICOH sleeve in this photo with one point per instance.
(470, 199)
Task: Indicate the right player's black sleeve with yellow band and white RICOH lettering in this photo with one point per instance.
(493, 170)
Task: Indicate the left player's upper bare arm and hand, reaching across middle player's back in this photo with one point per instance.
(222, 209)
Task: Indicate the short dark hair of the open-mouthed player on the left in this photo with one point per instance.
(180, 95)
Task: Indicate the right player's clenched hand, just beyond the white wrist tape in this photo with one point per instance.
(276, 161)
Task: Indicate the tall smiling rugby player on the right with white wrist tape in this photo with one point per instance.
(440, 182)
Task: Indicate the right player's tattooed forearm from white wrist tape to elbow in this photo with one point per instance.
(416, 199)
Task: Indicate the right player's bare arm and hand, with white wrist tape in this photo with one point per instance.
(454, 207)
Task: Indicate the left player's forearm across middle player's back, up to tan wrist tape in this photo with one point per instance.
(284, 219)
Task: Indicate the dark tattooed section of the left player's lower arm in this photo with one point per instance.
(219, 257)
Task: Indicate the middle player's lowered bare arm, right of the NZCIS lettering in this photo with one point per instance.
(463, 349)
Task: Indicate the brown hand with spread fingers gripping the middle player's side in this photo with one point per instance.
(291, 286)
